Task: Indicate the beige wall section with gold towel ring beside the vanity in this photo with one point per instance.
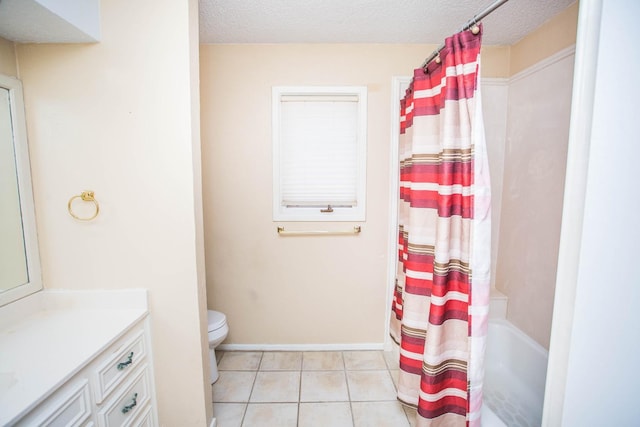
(120, 118)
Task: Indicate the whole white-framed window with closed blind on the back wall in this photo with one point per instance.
(319, 153)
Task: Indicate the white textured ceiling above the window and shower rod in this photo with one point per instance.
(366, 21)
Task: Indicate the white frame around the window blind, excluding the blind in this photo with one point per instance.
(313, 213)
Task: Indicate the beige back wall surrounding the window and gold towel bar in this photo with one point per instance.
(302, 290)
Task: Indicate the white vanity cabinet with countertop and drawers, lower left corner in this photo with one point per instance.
(112, 386)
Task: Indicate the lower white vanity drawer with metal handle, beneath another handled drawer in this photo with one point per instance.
(126, 405)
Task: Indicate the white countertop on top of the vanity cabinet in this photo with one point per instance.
(49, 336)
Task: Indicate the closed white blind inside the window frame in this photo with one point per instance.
(319, 150)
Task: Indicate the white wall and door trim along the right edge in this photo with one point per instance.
(595, 330)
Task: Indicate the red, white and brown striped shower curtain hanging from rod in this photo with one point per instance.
(440, 307)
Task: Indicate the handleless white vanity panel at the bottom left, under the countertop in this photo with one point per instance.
(71, 407)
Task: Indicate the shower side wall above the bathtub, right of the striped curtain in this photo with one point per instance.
(534, 168)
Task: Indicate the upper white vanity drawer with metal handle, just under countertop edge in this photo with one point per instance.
(115, 368)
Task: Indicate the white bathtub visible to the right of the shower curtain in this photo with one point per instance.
(515, 373)
